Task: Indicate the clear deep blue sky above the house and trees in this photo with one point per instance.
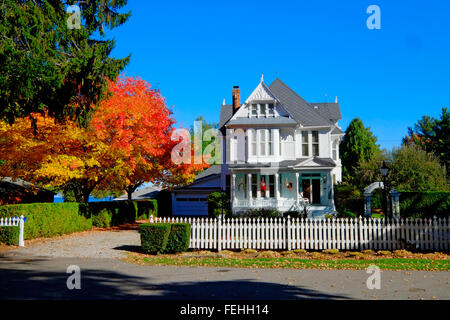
(196, 51)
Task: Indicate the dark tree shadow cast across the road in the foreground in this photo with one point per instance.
(39, 283)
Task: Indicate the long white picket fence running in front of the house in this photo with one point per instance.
(295, 233)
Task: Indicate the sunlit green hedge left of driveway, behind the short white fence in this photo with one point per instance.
(48, 219)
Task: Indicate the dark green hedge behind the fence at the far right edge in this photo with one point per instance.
(425, 204)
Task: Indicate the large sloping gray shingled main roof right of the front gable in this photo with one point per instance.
(302, 112)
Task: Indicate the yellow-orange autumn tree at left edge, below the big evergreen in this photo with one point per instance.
(61, 156)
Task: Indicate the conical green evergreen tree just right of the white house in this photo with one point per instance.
(358, 145)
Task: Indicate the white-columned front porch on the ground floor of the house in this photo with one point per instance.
(288, 190)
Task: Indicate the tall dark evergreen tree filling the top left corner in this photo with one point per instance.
(50, 63)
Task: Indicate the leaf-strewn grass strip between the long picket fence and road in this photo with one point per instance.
(293, 263)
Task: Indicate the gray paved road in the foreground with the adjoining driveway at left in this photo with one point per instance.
(39, 272)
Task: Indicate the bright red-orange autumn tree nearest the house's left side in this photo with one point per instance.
(137, 125)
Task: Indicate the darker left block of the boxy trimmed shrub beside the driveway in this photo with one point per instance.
(154, 236)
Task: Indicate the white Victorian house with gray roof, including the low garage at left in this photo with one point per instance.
(280, 151)
